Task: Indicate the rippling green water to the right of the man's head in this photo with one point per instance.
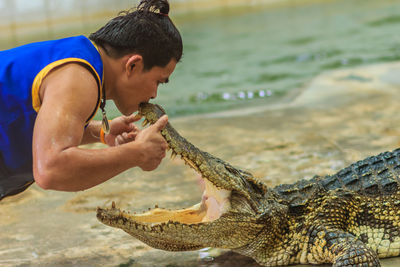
(239, 52)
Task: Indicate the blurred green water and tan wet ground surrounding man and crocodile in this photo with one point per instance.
(238, 54)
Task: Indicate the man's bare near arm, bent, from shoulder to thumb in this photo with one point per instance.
(68, 97)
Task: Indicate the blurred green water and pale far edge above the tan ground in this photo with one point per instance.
(237, 53)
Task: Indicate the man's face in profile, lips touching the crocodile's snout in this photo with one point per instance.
(140, 86)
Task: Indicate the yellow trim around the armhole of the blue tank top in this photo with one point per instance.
(37, 82)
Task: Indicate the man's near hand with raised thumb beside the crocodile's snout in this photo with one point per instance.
(153, 145)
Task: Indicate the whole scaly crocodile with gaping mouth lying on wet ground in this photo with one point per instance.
(351, 218)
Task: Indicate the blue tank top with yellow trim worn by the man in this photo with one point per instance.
(22, 71)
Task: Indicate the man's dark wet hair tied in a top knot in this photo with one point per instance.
(146, 30)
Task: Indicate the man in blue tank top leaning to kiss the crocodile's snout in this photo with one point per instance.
(49, 92)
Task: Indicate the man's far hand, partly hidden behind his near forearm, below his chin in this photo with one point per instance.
(122, 130)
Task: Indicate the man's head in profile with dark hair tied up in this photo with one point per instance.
(147, 44)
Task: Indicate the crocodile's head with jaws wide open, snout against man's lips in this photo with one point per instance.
(235, 208)
